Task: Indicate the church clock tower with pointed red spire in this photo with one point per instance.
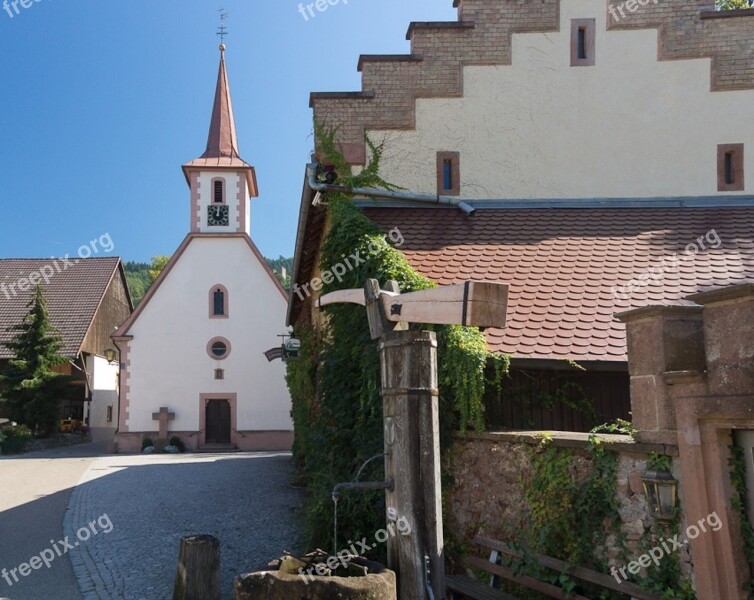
(221, 181)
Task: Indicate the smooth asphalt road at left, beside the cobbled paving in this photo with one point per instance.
(35, 490)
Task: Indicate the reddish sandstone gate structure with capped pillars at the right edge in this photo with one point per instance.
(692, 370)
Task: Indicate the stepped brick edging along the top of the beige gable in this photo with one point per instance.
(687, 29)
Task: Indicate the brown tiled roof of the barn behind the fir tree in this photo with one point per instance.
(73, 296)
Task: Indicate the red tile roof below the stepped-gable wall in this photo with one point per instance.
(565, 266)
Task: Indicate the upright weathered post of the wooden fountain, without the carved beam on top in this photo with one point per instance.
(412, 447)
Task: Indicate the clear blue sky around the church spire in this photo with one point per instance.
(103, 101)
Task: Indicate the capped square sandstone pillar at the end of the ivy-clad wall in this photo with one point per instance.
(660, 339)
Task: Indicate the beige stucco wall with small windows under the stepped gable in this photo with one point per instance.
(629, 126)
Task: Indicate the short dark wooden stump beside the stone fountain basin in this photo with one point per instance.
(198, 574)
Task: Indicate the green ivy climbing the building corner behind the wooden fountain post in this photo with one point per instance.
(335, 385)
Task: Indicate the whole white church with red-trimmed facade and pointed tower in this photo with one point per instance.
(192, 353)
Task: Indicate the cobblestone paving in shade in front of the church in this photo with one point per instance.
(142, 505)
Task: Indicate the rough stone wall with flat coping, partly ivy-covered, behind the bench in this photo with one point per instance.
(490, 471)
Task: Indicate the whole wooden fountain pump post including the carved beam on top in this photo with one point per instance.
(411, 414)
